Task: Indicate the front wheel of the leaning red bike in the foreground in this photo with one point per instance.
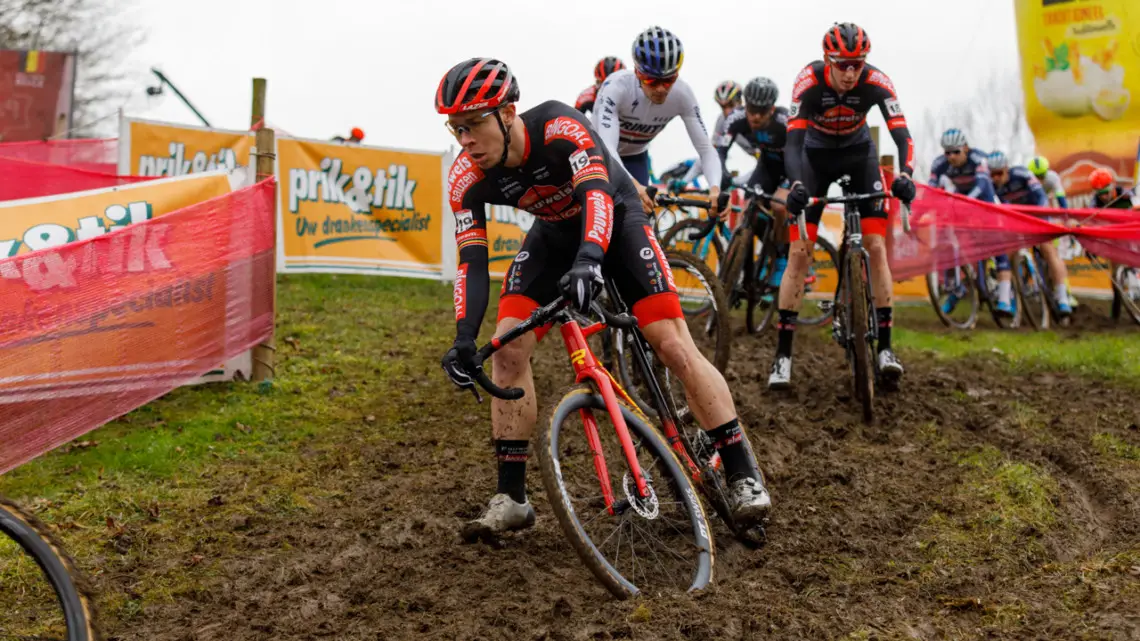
(640, 543)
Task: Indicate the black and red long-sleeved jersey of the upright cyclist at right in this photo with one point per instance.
(820, 118)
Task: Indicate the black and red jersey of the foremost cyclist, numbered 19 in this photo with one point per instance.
(575, 189)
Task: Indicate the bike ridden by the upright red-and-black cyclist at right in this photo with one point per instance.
(854, 327)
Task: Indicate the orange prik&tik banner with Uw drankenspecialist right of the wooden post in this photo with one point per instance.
(354, 209)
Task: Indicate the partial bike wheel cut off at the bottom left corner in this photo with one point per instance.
(44, 597)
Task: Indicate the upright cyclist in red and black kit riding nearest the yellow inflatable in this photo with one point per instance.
(828, 137)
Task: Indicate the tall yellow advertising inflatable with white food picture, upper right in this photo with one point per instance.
(1081, 76)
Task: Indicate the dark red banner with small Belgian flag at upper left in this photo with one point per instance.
(36, 94)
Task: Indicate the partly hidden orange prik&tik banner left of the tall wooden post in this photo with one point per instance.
(156, 149)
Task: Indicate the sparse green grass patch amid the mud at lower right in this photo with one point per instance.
(997, 512)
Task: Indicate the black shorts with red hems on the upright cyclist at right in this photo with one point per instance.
(825, 167)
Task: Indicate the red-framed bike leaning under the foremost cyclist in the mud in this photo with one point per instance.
(625, 498)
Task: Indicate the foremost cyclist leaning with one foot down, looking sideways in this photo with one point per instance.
(589, 220)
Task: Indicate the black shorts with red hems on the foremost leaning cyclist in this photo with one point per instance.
(634, 261)
